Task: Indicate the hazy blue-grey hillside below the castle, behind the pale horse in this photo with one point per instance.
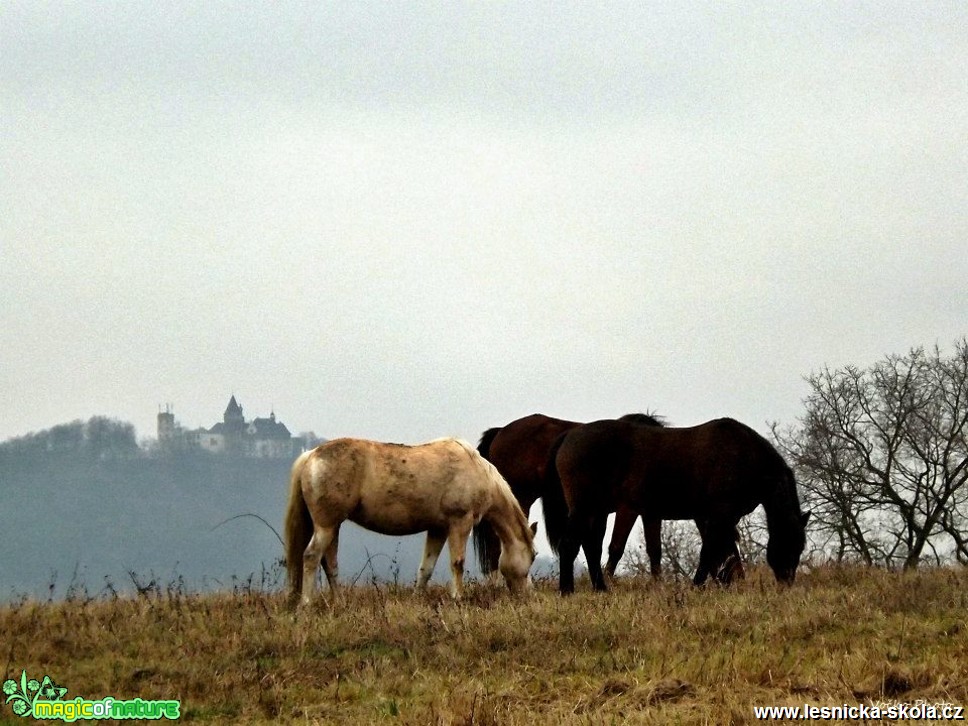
(73, 518)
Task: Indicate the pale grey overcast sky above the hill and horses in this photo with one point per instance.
(407, 220)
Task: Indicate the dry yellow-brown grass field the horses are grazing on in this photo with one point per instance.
(643, 653)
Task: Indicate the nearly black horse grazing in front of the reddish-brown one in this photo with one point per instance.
(714, 473)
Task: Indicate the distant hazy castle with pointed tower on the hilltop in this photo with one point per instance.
(260, 437)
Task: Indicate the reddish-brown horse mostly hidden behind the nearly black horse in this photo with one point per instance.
(520, 452)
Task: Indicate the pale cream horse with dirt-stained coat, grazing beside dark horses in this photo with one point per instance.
(443, 488)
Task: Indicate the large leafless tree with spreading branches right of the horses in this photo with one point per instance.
(882, 459)
